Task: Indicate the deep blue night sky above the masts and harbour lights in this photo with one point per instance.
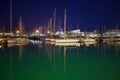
(88, 13)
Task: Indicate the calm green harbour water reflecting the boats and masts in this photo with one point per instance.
(49, 62)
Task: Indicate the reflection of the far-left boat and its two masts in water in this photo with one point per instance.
(15, 49)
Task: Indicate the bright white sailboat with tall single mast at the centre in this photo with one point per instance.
(66, 40)
